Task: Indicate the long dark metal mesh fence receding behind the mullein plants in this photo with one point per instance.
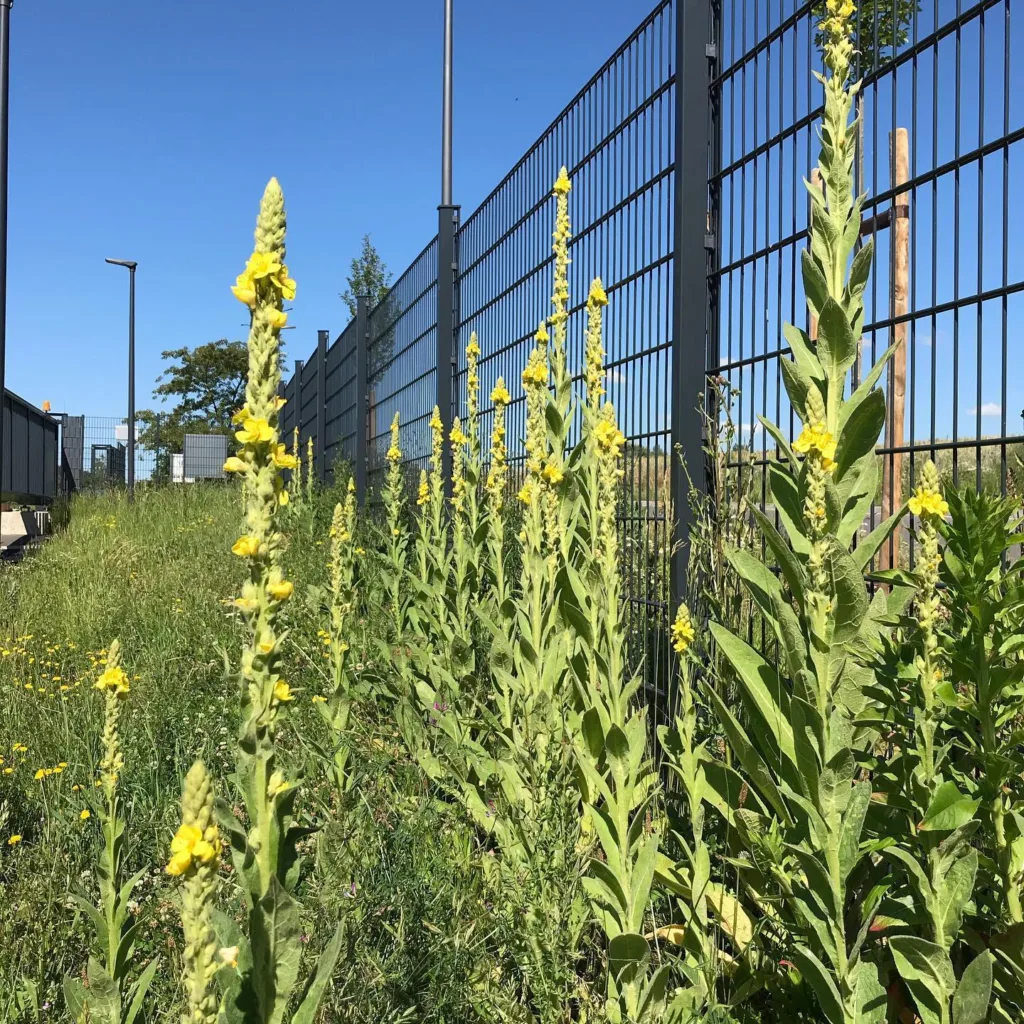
(687, 150)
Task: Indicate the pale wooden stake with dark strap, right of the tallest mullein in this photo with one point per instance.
(892, 474)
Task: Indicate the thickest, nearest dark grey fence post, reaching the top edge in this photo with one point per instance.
(695, 54)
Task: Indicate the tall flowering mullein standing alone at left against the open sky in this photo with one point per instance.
(264, 848)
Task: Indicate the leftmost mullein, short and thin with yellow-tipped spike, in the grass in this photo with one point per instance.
(109, 995)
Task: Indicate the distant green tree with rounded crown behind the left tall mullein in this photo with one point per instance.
(208, 383)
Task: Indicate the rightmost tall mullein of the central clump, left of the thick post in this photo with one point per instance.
(619, 784)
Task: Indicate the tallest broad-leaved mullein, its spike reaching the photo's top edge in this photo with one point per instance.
(798, 817)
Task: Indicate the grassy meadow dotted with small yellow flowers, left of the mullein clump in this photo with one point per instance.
(158, 575)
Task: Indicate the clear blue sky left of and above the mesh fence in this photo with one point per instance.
(147, 132)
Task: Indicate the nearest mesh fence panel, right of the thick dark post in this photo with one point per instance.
(949, 275)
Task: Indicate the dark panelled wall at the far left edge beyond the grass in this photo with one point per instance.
(29, 462)
